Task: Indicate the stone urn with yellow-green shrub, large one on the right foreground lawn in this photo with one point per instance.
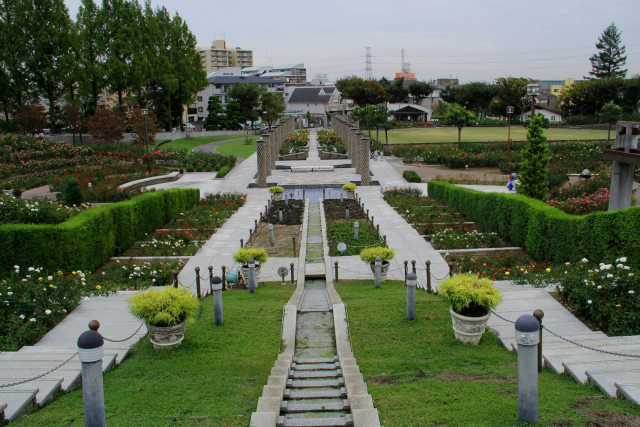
(472, 299)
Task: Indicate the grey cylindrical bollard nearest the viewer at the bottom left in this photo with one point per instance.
(90, 350)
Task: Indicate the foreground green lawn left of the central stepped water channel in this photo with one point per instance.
(214, 378)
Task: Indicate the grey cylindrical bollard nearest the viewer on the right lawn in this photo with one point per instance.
(527, 337)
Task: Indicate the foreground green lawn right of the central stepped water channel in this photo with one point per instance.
(419, 375)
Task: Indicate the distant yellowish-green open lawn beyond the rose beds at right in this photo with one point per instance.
(474, 134)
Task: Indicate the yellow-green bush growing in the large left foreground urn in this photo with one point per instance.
(166, 307)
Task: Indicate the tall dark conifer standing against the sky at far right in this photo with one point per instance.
(610, 58)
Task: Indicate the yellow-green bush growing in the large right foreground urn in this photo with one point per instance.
(470, 295)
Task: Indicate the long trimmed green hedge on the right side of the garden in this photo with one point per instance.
(545, 232)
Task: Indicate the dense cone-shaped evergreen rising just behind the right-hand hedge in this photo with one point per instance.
(535, 158)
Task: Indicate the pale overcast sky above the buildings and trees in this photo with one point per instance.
(466, 39)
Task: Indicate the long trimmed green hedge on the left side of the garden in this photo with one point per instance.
(89, 239)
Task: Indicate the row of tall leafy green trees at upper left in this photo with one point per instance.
(143, 56)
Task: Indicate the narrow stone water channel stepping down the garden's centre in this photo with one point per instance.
(315, 393)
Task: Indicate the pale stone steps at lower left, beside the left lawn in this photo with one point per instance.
(58, 346)
